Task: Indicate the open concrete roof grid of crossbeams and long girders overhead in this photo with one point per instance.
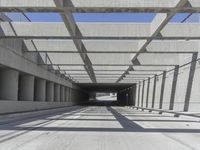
(107, 52)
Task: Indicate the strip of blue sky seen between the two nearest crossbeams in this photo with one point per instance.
(94, 17)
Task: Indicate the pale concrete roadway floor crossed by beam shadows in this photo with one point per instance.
(101, 128)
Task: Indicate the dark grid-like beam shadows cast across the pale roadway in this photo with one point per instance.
(127, 126)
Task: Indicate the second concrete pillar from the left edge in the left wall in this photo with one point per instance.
(26, 87)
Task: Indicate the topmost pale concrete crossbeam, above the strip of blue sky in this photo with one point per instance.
(107, 6)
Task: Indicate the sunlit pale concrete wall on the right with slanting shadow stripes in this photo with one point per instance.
(181, 89)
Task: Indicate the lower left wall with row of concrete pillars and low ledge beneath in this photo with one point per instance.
(22, 92)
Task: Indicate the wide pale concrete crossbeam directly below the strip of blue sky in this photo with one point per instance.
(112, 31)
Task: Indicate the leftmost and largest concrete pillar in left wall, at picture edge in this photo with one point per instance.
(9, 84)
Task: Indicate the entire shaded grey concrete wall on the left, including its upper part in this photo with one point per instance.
(27, 86)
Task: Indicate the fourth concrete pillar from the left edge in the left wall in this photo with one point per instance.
(49, 91)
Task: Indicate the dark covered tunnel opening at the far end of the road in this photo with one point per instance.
(115, 94)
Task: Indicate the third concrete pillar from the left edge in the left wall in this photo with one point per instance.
(40, 90)
